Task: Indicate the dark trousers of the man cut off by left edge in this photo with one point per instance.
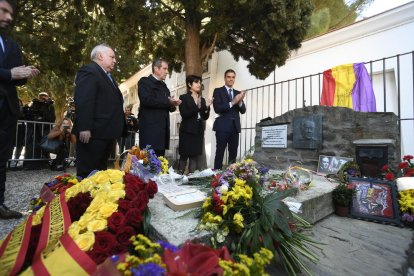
(8, 123)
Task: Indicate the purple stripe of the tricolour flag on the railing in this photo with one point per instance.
(363, 98)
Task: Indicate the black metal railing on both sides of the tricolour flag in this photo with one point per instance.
(393, 83)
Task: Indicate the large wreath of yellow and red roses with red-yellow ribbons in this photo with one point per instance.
(95, 218)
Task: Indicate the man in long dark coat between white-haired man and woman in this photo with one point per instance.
(155, 105)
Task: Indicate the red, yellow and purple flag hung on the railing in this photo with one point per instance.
(348, 85)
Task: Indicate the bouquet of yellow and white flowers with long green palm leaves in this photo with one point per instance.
(242, 214)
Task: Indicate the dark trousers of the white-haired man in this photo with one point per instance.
(92, 156)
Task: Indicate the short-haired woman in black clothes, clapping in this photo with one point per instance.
(194, 112)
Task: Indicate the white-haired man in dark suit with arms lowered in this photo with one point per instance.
(99, 112)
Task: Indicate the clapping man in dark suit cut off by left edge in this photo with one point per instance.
(12, 73)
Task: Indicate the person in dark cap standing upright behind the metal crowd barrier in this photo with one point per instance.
(39, 111)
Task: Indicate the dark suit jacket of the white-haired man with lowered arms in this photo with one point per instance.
(99, 104)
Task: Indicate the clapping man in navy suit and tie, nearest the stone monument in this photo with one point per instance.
(227, 103)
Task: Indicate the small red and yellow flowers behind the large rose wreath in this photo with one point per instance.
(58, 185)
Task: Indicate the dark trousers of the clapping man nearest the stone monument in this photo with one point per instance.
(224, 139)
